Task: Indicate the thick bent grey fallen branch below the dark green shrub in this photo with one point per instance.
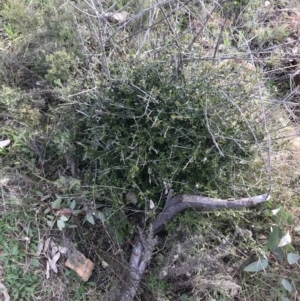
(143, 249)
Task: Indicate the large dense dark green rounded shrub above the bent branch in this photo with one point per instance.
(146, 130)
